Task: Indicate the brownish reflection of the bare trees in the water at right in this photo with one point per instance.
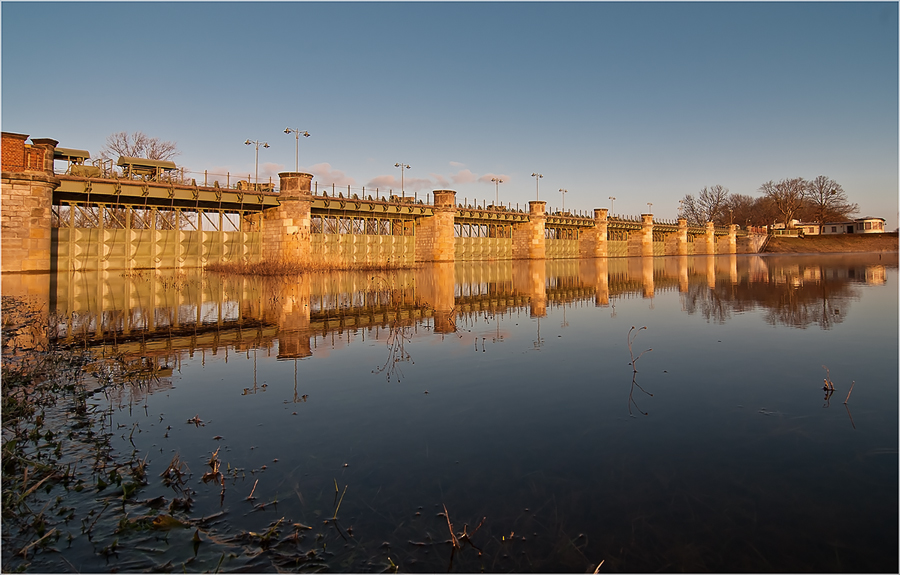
(799, 296)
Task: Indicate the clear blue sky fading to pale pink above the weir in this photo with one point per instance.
(643, 102)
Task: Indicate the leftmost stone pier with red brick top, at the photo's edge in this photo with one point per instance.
(28, 183)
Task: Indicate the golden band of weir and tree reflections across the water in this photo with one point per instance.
(153, 314)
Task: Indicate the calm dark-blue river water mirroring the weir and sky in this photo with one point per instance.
(505, 391)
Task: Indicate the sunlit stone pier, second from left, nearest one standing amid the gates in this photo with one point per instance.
(286, 227)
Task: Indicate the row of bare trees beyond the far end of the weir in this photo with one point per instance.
(818, 200)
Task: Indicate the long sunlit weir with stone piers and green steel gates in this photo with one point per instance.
(146, 215)
